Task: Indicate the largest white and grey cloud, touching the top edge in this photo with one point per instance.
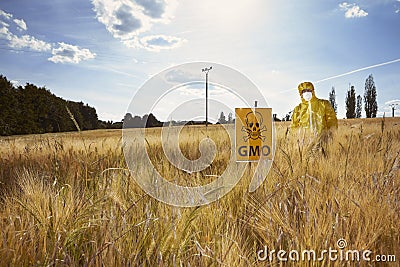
(126, 20)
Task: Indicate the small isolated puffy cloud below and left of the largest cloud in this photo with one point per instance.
(66, 53)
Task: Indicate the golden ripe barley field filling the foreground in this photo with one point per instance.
(69, 200)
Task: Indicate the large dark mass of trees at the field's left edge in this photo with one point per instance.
(30, 109)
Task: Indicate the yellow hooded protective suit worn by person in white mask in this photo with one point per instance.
(316, 115)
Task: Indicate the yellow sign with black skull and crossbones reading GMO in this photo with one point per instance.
(253, 134)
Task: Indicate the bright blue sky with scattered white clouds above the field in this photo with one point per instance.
(101, 51)
